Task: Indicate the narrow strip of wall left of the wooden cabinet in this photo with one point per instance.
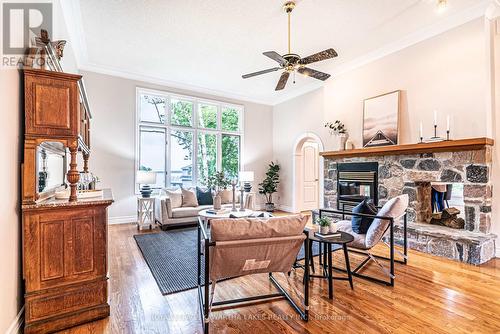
(10, 223)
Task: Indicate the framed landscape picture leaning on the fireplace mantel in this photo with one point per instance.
(381, 119)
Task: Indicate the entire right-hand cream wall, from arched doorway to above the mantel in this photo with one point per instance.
(446, 72)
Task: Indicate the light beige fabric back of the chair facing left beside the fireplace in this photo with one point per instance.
(394, 208)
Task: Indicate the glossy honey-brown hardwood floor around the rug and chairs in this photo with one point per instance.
(431, 295)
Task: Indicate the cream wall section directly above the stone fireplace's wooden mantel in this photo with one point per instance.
(445, 73)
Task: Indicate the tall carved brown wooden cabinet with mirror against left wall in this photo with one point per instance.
(64, 240)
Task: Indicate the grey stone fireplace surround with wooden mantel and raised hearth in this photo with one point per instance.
(414, 172)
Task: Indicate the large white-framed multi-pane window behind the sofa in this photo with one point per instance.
(185, 139)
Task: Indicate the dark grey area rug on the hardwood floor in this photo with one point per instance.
(171, 257)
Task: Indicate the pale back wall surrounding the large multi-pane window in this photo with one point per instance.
(113, 103)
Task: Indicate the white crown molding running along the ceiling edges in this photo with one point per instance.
(72, 13)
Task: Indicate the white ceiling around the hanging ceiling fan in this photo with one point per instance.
(207, 45)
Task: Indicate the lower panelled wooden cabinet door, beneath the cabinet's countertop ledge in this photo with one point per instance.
(69, 246)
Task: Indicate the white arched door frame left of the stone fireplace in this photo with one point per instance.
(297, 155)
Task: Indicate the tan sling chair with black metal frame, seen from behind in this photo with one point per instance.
(247, 246)
